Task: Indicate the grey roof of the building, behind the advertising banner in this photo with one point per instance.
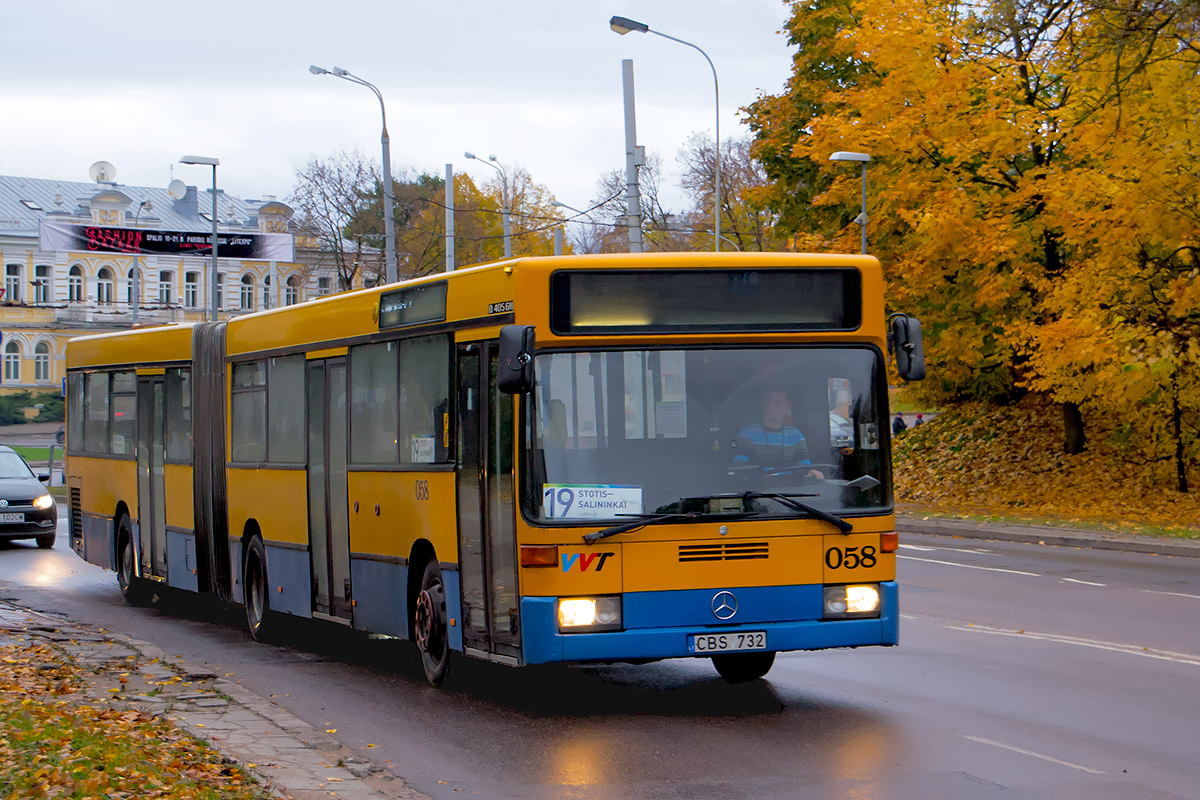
(26, 202)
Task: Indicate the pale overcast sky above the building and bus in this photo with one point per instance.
(535, 82)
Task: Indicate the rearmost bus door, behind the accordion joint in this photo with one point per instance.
(152, 484)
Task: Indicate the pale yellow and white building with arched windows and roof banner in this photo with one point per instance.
(69, 249)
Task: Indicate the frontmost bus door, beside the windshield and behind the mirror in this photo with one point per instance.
(491, 624)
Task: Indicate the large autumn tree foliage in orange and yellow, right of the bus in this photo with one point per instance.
(1034, 195)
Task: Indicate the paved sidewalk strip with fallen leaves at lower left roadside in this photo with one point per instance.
(291, 757)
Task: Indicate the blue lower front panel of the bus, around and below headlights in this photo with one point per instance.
(667, 619)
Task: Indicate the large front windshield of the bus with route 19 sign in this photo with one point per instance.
(633, 432)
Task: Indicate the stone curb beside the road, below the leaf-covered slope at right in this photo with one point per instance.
(1048, 536)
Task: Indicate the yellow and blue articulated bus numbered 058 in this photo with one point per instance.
(544, 460)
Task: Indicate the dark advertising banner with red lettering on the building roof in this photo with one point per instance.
(104, 239)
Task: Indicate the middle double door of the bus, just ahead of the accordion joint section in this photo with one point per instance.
(328, 515)
